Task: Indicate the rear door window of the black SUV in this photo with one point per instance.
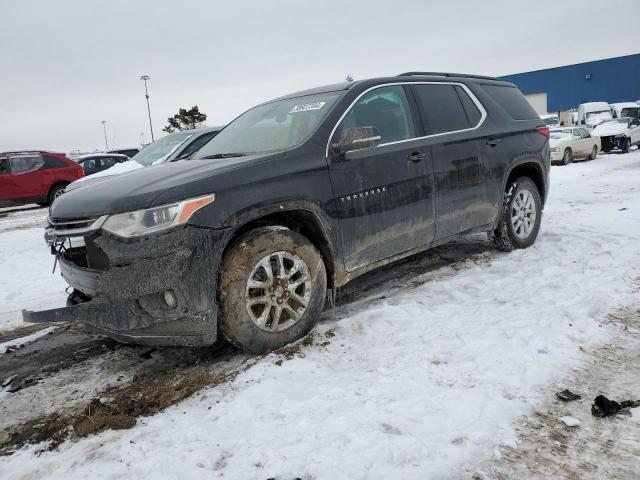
(442, 108)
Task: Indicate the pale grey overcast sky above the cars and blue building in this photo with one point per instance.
(66, 65)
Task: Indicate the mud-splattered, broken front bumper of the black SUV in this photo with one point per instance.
(159, 290)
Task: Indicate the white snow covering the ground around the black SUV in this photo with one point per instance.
(425, 382)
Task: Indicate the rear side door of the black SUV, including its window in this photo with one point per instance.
(450, 116)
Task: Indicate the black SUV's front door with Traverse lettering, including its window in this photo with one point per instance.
(384, 194)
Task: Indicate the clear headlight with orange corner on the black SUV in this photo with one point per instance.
(144, 222)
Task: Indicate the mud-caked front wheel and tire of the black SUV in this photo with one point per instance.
(272, 288)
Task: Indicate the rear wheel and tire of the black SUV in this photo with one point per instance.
(521, 216)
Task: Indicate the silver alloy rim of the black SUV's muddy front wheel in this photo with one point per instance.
(278, 291)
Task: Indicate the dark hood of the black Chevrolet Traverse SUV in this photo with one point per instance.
(146, 187)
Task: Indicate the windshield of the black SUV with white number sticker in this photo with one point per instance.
(272, 127)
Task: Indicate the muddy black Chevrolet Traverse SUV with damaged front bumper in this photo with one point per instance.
(295, 198)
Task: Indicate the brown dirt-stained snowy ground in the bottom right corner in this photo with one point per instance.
(597, 447)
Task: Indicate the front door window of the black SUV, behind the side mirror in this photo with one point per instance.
(385, 108)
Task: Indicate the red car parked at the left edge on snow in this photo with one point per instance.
(35, 176)
